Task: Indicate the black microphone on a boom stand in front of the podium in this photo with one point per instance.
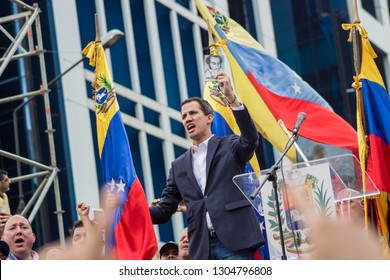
(271, 176)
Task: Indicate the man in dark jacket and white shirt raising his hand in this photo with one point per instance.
(221, 222)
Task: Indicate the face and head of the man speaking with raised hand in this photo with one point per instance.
(196, 124)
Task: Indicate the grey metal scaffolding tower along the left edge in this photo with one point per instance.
(32, 21)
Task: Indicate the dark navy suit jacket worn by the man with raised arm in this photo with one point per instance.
(232, 215)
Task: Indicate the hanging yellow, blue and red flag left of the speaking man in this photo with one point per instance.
(131, 234)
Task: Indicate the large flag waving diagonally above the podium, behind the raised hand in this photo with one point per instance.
(272, 91)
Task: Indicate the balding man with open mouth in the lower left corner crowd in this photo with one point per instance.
(20, 238)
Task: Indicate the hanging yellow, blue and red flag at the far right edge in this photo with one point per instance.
(373, 115)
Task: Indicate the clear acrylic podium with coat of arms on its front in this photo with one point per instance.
(331, 187)
